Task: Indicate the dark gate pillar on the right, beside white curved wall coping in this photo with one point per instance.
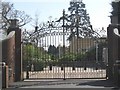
(114, 53)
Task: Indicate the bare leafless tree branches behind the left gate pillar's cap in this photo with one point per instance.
(9, 12)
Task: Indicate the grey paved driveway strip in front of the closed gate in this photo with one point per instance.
(68, 83)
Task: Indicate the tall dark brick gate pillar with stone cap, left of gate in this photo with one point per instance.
(18, 61)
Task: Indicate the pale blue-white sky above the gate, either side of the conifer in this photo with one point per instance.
(98, 10)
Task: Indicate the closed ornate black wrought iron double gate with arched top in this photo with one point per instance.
(56, 52)
